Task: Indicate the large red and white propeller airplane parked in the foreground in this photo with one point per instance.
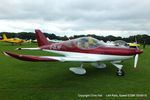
(84, 49)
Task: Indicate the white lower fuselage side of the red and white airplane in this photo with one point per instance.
(97, 57)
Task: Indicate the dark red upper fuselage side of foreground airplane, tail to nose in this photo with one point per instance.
(100, 50)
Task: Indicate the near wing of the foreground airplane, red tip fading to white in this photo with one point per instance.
(50, 58)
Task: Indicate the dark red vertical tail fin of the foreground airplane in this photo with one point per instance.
(41, 39)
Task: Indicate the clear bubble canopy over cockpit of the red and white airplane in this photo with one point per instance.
(88, 43)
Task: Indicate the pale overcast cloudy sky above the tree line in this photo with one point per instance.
(75, 17)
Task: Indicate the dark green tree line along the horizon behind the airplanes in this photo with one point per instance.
(30, 35)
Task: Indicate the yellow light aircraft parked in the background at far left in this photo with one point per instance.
(11, 40)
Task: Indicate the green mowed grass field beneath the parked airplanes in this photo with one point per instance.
(22, 80)
